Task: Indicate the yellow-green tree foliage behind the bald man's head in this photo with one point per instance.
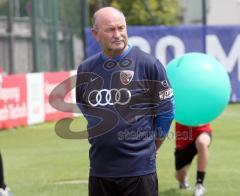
(144, 12)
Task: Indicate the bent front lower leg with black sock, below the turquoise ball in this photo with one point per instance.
(202, 143)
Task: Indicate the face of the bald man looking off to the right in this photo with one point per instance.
(111, 33)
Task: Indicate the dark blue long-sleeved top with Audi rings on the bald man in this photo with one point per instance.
(120, 99)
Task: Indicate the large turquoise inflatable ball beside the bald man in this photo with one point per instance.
(201, 88)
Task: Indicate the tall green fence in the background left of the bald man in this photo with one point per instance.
(36, 36)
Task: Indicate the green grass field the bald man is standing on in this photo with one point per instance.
(39, 163)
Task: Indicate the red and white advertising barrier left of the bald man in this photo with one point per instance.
(24, 99)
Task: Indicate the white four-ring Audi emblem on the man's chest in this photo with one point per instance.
(105, 97)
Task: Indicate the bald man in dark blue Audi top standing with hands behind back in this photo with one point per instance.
(116, 90)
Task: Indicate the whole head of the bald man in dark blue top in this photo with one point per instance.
(110, 30)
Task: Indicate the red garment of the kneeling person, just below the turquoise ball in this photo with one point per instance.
(185, 135)
